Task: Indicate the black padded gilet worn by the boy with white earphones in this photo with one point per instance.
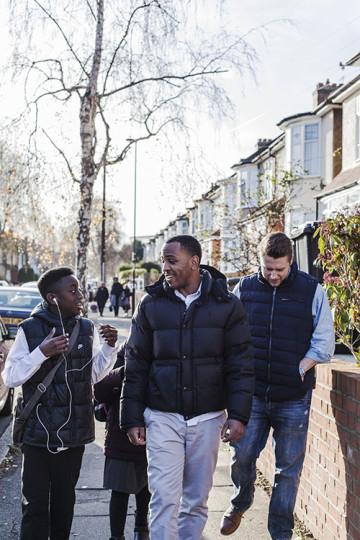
(53, 407)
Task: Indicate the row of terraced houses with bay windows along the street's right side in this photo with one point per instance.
(305, 174)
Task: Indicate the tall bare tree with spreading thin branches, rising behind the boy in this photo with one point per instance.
(137, 67)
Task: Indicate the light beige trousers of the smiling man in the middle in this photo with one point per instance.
(182, 461)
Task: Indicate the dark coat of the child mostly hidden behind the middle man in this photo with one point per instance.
(117, 444)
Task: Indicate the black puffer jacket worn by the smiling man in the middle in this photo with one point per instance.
(189, 361)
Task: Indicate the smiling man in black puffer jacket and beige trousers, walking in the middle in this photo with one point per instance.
(188, 359)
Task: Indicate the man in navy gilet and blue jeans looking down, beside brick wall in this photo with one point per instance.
(292, 330)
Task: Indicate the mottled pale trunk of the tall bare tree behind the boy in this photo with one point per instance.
(89, 170)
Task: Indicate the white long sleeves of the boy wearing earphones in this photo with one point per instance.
(21, 364)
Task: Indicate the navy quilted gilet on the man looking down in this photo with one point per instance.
(281, 325)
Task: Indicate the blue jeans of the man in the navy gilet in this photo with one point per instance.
(290, 420)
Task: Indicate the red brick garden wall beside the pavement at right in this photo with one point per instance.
(328, 501)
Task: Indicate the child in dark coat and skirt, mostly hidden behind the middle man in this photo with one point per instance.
(125, 469)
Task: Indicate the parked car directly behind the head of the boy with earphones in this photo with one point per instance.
(16, 304)
